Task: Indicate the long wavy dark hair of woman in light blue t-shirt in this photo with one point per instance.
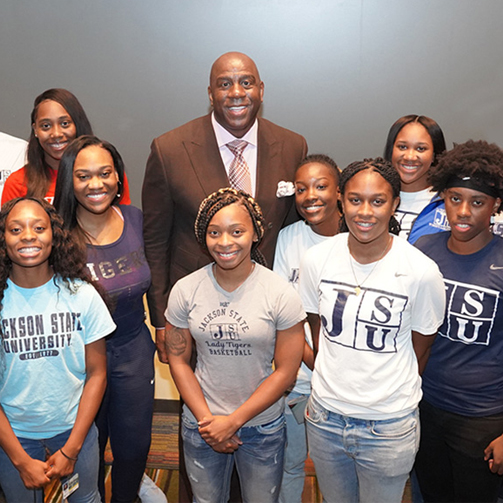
(66, 258)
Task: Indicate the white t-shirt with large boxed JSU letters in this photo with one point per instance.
(366, 366)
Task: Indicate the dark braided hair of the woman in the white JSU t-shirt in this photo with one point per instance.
(386, 170)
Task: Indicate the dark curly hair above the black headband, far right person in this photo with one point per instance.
(477, 159)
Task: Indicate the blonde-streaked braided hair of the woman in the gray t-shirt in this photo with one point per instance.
(225, 197)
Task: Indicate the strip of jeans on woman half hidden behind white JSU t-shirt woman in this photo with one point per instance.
(295, 456)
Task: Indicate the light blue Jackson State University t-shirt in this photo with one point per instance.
(44, 333)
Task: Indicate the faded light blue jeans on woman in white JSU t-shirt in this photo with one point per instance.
(359, 460)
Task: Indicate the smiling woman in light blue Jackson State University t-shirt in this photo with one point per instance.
(55, 374)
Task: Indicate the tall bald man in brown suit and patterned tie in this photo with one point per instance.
(192, 161)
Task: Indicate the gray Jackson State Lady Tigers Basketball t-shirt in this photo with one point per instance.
(235, 334)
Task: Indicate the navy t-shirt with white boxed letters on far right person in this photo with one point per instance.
(465, 369)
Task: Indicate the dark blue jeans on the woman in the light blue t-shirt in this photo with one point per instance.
(86, 466)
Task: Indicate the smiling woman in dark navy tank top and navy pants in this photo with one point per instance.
(90, 178)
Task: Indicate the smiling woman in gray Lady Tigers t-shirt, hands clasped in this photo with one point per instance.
(241, 318)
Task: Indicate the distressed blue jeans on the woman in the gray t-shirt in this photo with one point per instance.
(259, 462)
